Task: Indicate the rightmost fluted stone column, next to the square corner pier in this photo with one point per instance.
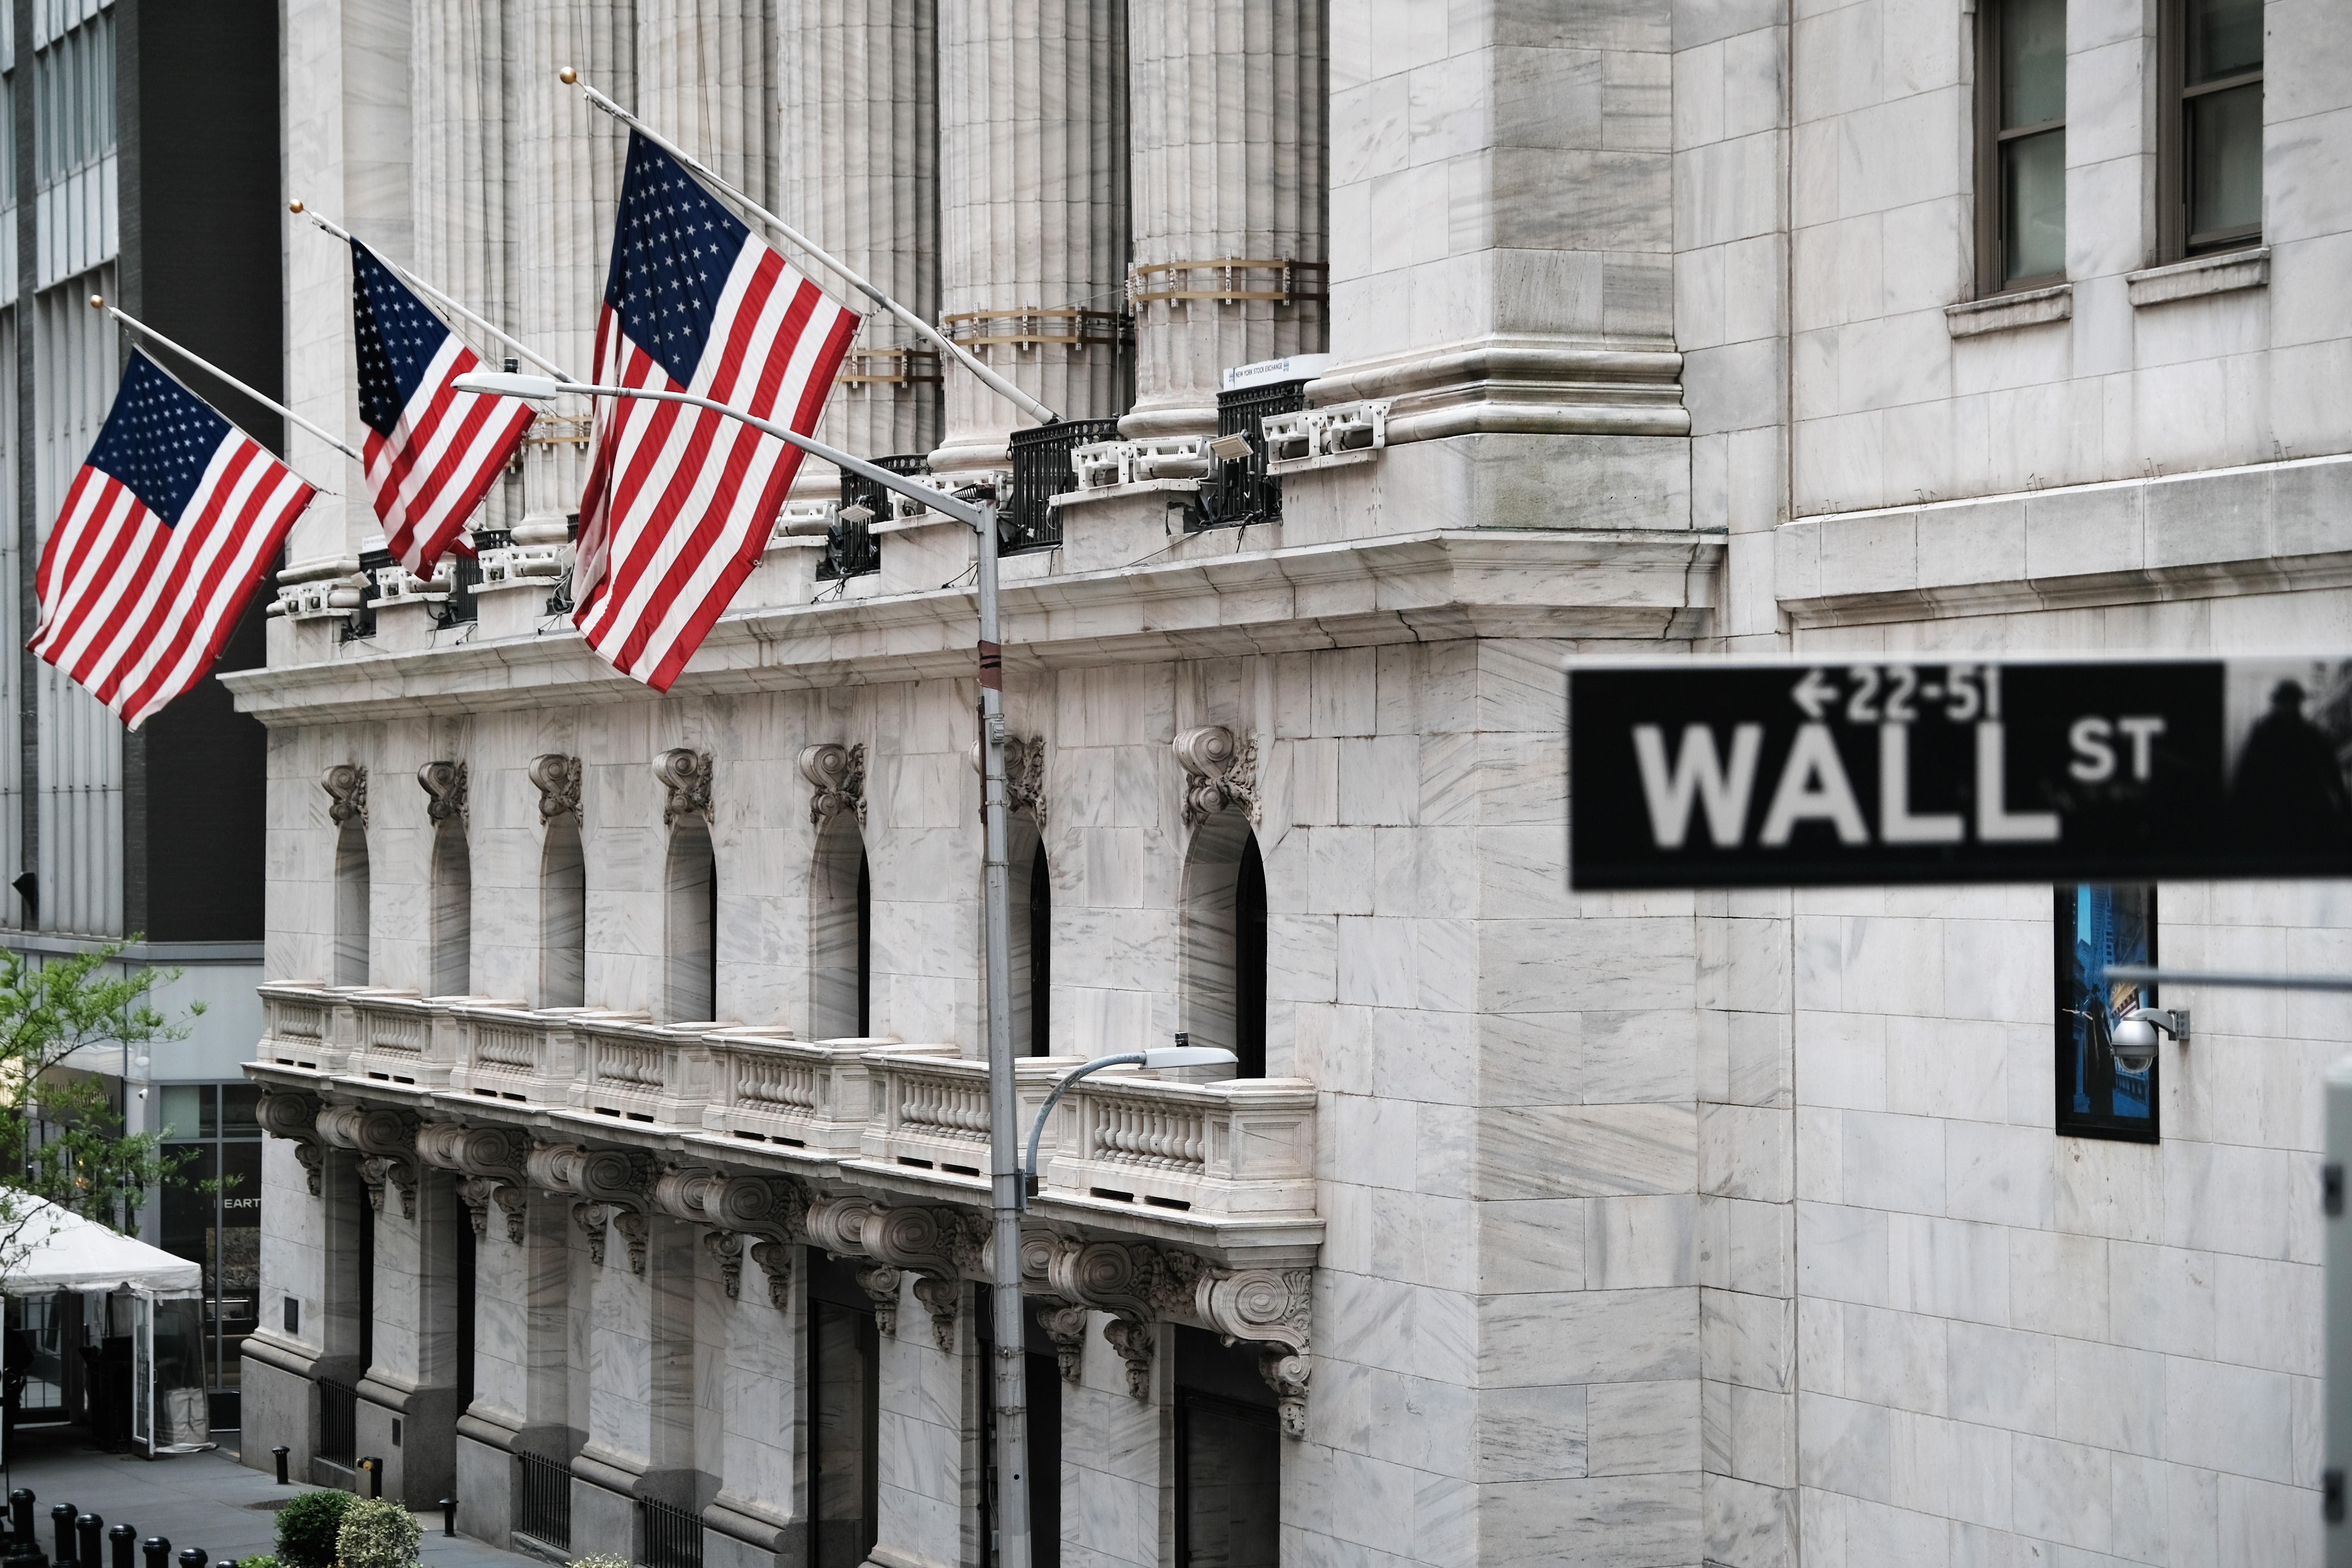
(1231, 166)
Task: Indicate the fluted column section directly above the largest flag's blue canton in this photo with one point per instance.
(707, 79)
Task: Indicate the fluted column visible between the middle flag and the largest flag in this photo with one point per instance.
(568, 189)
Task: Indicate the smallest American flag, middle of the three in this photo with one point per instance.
(432, 450)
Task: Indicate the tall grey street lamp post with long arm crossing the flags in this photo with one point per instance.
(1005, 1188)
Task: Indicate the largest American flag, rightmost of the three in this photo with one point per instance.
(681, 502)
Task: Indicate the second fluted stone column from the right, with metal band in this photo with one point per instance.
(1034, 210)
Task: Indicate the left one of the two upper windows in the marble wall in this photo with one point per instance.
(2022, 145)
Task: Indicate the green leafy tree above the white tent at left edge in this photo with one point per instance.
(60, 1134)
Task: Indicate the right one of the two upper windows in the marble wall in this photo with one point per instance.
(2212, 161)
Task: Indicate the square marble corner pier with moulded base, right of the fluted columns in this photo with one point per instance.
(1506, 276)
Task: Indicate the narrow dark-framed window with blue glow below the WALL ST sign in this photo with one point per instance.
(2097, 927)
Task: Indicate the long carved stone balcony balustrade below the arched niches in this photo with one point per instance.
(1121, 1141)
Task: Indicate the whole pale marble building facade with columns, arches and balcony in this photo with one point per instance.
(624, 1066)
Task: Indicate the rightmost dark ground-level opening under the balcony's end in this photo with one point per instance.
(1229, 1456)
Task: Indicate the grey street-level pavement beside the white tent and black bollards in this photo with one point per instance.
(194, 1501)
